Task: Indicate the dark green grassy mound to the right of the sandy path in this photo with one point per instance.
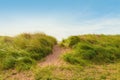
(92, 48)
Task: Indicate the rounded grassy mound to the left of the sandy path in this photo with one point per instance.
(22, 51)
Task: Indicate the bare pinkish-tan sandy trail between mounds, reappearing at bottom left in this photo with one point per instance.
(52, 59)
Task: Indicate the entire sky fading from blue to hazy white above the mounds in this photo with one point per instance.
(60, 18)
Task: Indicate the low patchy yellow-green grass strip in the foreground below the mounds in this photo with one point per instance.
(68, 72)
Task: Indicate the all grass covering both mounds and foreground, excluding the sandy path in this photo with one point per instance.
(86, 57)
